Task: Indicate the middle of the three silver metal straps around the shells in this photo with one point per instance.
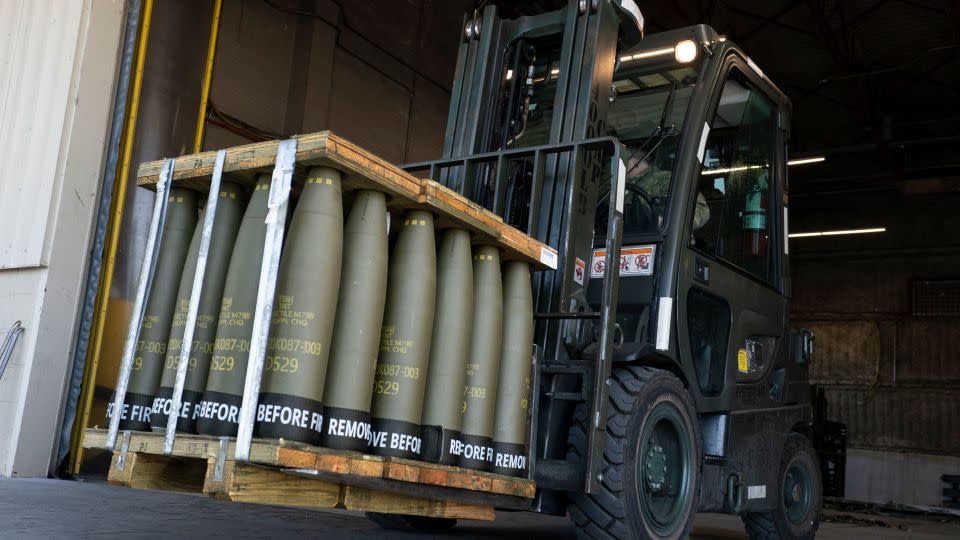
(186, 345)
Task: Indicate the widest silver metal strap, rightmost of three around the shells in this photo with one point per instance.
(276, 218)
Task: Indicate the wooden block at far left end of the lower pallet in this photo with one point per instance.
(148, 471)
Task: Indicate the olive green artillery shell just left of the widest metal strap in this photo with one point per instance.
(217, 413)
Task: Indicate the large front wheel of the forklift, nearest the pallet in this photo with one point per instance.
(651, 460)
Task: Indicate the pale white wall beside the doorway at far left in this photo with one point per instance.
(57, 71)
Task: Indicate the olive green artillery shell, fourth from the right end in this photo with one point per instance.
(405, 342)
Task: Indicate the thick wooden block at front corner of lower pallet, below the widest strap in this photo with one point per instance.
(263, 485)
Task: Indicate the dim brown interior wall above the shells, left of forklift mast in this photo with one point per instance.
(376, 72)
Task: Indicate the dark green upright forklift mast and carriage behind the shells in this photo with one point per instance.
(539, 164)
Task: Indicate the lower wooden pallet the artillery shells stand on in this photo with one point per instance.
(294, 474)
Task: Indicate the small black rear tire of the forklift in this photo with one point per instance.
(774, 525)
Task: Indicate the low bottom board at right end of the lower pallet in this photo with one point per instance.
(367, 500)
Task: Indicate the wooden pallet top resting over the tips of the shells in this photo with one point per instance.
(362, 170)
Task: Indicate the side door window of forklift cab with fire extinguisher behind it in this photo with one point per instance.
(735, 183)
